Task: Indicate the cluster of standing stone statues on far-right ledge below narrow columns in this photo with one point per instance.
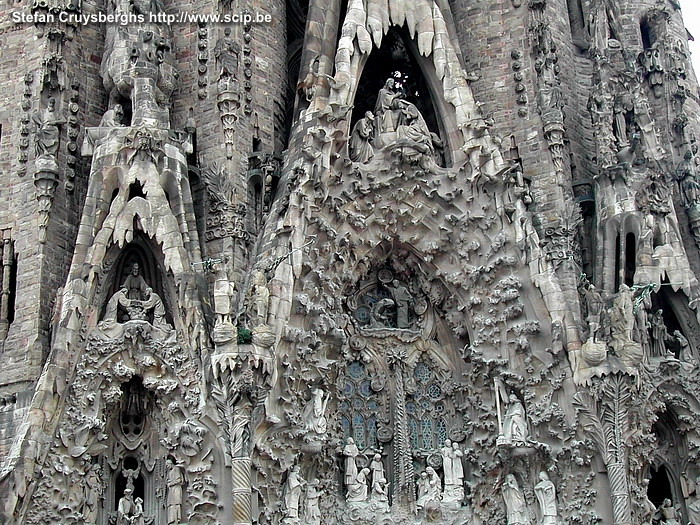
(634, 334)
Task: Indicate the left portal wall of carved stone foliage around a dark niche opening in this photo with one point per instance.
(134, 401)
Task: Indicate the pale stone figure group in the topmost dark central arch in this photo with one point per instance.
(394, 120)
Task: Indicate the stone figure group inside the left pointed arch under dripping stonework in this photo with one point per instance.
(135, 302)
